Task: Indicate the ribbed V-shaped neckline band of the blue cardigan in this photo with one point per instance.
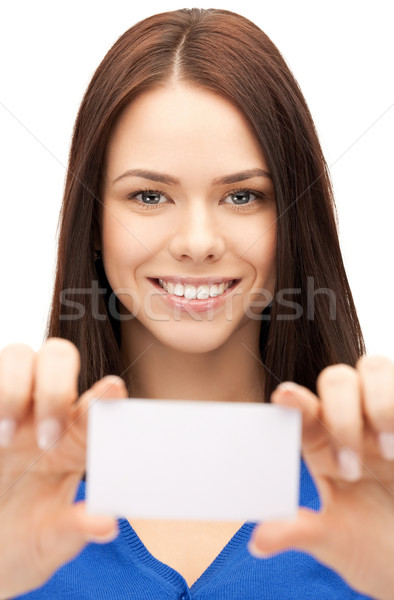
(172, 576)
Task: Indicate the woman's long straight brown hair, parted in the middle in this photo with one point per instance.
(229, 55)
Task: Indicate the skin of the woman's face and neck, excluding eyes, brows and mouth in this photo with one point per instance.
(198, 230)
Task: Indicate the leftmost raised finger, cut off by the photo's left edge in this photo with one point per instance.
(16, 376)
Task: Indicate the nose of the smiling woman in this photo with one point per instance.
(198, 236)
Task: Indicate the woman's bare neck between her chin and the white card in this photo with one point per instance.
(232, 373)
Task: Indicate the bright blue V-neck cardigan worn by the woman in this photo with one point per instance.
(124, 569)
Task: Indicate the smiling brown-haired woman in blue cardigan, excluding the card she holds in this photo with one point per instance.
(198, 258)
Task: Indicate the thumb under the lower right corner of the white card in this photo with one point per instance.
(305, 533)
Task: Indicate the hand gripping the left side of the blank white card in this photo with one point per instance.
(42, 460)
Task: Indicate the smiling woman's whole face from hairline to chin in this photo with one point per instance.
(201, 218)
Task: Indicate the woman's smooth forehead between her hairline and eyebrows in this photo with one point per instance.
(182, 125)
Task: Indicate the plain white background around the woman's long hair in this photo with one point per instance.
(341, 53)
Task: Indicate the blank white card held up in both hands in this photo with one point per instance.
(193, 460)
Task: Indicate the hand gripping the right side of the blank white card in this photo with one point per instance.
(348, 446)
